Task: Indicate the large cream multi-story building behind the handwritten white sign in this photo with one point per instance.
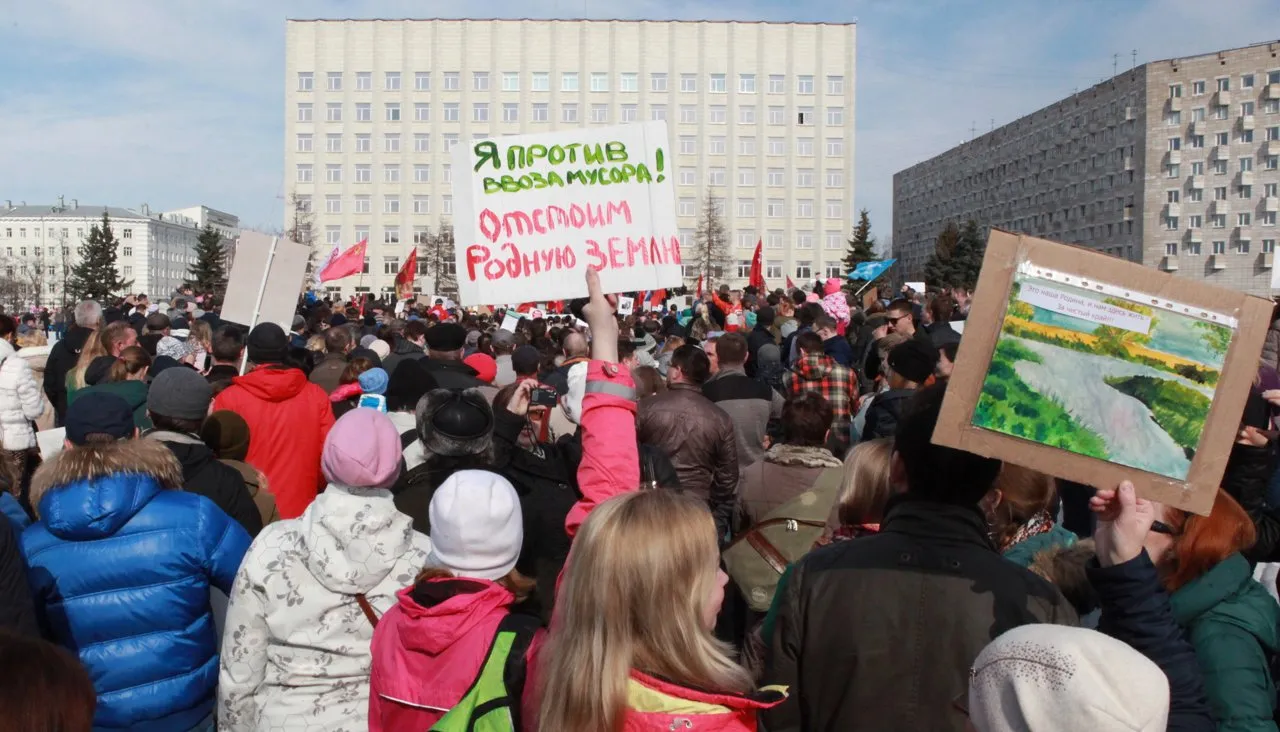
(761, 116)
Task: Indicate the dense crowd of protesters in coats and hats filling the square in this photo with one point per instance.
(728, 516)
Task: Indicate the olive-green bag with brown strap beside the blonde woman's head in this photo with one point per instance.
(757, 559)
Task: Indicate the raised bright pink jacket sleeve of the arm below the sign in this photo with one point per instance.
(611, 460)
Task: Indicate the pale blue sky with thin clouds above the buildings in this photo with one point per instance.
(177, 103)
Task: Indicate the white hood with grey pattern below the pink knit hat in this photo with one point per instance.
(354, 538)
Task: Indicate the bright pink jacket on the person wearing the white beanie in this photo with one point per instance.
(429, 648)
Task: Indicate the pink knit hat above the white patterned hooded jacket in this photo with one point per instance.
(363, 451)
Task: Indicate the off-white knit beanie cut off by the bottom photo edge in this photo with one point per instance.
(1058, 679)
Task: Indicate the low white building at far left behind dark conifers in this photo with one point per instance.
(42, 244)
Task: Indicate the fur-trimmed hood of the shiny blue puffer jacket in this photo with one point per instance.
(88, 493)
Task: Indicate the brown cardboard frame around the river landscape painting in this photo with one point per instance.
(1005, 253)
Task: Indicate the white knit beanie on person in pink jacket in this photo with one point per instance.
(477, 527)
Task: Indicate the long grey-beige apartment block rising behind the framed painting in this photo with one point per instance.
(1174, 164)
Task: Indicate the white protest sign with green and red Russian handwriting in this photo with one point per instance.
(533, 212)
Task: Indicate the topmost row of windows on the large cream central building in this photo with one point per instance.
(572, 83)
